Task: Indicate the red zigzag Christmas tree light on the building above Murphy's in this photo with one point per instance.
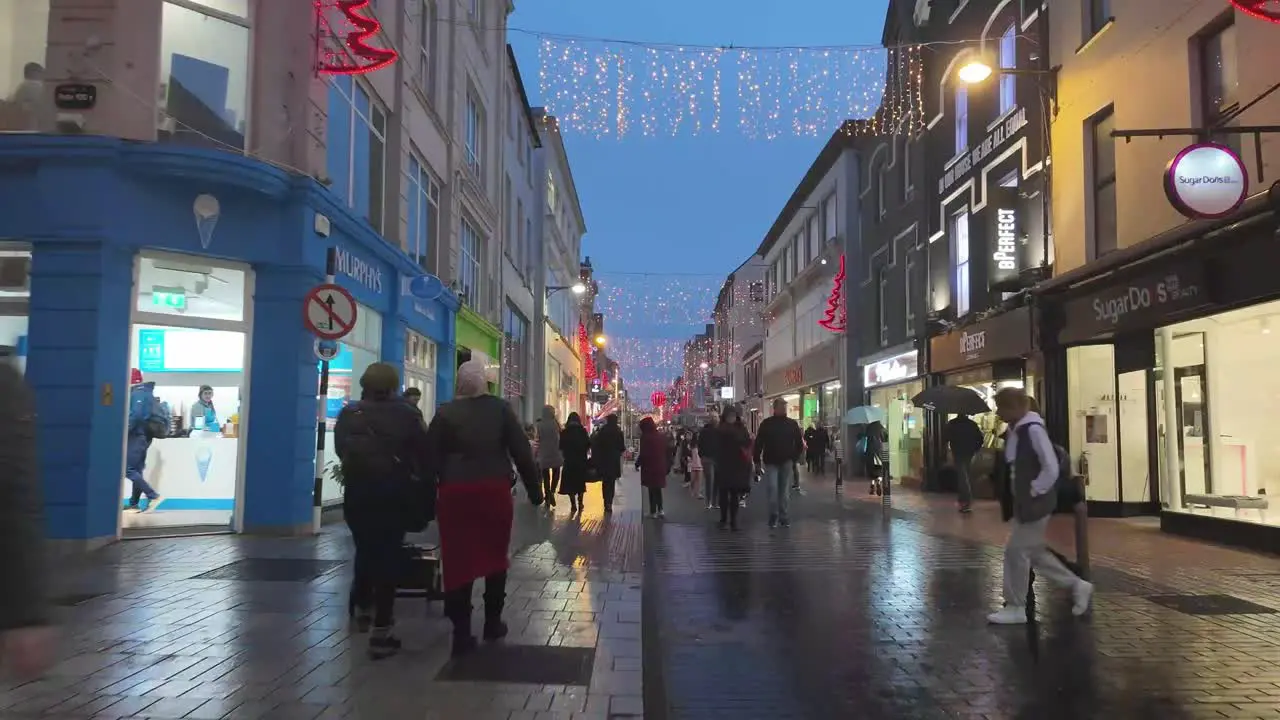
(342, 40)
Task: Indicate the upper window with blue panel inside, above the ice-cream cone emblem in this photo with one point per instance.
(204, 75)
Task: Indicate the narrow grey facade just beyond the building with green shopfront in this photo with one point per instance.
(523, 224)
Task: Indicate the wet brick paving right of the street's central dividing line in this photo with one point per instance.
(871, 609)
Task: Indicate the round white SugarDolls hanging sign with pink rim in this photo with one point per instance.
(1206, 181)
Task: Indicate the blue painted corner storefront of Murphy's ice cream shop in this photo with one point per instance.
(89, 206)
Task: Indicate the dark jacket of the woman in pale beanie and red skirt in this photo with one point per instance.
(478, 439)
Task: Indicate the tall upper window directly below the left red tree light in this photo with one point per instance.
(356, 149)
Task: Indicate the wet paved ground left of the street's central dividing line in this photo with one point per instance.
(268, 637)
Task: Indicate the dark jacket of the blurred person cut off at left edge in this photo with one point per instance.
(22, 518)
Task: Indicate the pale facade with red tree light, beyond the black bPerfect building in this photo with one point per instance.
(806, 288)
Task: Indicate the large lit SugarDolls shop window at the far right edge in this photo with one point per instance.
(1217, 391)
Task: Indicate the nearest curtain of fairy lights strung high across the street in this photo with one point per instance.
(619, 89)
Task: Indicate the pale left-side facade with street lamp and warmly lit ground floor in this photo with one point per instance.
(561, 317)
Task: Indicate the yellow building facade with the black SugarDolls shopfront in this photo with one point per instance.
(1158, 326)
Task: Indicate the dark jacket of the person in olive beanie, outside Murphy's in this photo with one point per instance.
(404, 435)
